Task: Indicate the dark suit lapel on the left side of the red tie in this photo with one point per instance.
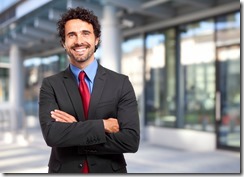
(73, 91)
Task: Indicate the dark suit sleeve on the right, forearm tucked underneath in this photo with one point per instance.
(127, 139)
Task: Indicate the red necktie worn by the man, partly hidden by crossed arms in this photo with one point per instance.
(85, 96)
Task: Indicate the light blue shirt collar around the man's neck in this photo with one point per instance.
(90, 71)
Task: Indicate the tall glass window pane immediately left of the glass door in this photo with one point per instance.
(198, 63)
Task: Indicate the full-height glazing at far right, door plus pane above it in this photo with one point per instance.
(229, 79)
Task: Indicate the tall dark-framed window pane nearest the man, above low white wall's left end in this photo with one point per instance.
(160, 91)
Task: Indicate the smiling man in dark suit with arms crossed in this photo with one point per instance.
(89, 124)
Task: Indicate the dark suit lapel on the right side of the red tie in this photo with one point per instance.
(97, 90)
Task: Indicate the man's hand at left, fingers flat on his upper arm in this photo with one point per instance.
(61, 116)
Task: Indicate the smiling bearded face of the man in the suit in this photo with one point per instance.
(80, 41)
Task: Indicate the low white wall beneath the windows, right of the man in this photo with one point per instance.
(191, 140)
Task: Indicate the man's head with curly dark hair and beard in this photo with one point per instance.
(80, 32)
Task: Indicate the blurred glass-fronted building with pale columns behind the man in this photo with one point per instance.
(182, 57)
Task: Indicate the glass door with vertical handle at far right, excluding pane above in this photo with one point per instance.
(228, 97)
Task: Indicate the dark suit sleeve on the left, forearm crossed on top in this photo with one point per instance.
(58, 134)
